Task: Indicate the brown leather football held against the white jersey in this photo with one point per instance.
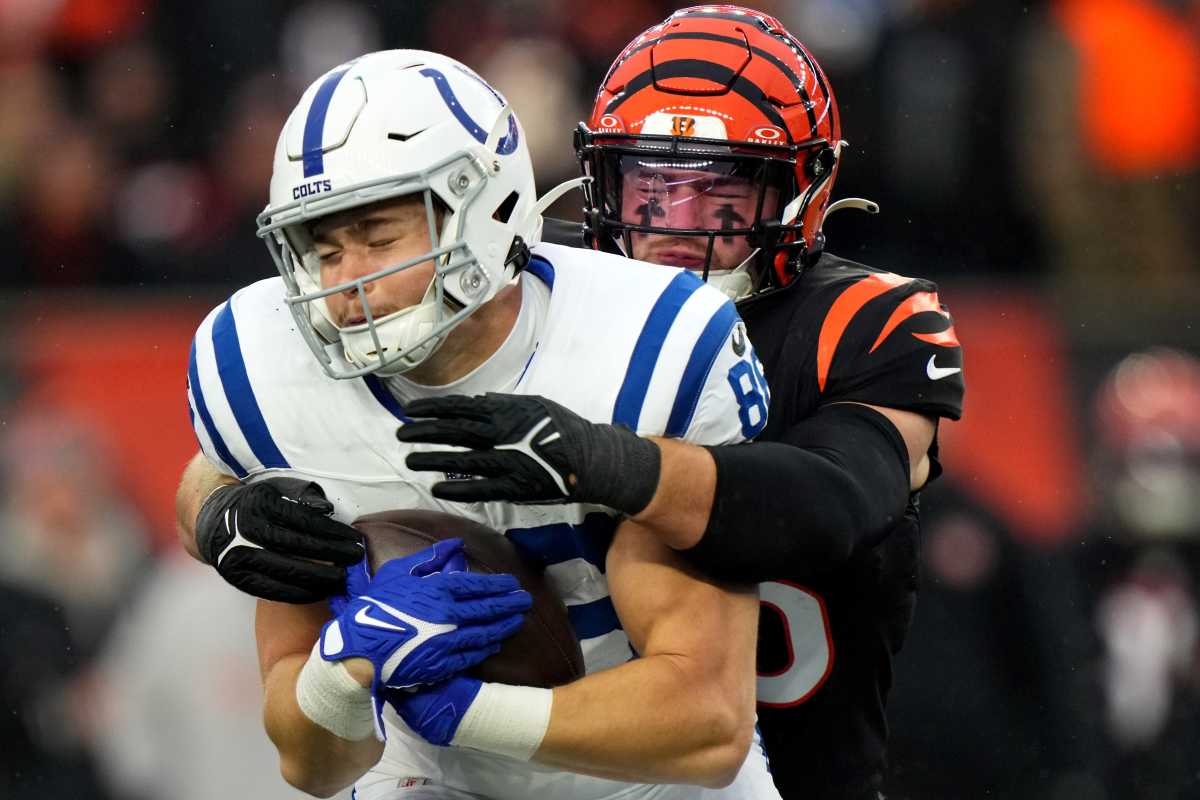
(545, 652)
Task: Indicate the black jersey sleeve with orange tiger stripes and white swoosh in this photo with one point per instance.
(889, 341)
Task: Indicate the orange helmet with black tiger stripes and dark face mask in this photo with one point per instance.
(729, 81)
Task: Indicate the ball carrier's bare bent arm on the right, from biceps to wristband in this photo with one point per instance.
(685, 711)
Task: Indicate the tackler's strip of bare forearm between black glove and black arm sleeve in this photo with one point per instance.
(679, 513)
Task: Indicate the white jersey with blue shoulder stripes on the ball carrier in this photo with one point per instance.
(616, 341)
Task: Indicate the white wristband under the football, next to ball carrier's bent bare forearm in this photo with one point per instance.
(507, 720)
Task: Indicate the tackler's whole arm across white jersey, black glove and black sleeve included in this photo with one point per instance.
(837, 479)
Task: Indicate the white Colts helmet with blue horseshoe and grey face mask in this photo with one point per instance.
(386, 125)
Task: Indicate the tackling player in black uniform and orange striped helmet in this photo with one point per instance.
(713, 146)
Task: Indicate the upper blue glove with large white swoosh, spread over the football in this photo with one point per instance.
(425, 629)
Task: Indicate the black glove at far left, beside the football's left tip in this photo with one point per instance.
(275, 540)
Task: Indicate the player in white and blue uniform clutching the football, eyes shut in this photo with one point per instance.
(405, 227)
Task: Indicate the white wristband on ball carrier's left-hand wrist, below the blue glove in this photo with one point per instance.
(329, 696)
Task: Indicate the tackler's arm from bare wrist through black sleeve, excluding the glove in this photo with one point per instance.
(845, 455)
